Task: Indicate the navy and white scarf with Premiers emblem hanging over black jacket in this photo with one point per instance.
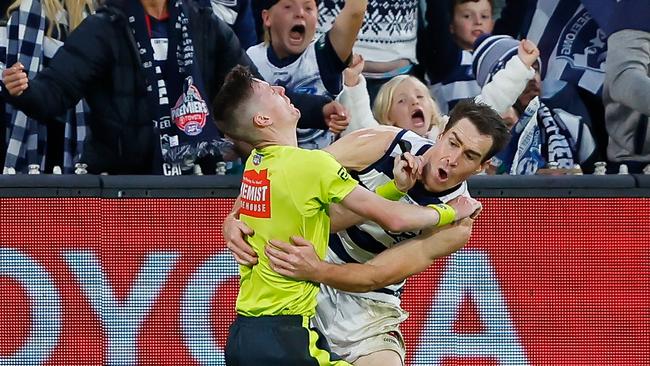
(176, 98)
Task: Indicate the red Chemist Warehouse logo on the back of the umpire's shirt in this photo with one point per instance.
(255, 195)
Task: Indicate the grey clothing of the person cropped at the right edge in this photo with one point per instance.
(627, 98)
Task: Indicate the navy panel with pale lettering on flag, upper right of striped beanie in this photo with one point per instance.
(583, 44)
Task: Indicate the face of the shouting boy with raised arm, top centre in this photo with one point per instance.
(292, 24)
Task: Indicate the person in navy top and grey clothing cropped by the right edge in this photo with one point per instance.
(626, 90)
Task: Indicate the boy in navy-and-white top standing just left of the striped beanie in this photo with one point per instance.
(449, 42)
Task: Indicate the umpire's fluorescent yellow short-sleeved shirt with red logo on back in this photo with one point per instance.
(286, 191)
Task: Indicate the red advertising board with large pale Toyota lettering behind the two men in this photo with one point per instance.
(92, 281)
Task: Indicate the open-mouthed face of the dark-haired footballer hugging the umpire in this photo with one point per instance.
(456, 156)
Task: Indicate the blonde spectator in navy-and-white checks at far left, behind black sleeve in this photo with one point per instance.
(36, 29)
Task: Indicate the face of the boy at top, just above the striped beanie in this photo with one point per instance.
(471, 19)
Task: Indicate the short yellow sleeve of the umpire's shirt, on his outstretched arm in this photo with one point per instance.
(322, 177)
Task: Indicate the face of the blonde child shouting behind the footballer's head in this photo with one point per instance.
(411, 107)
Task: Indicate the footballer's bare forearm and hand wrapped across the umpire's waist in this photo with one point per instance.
(299, 260)
